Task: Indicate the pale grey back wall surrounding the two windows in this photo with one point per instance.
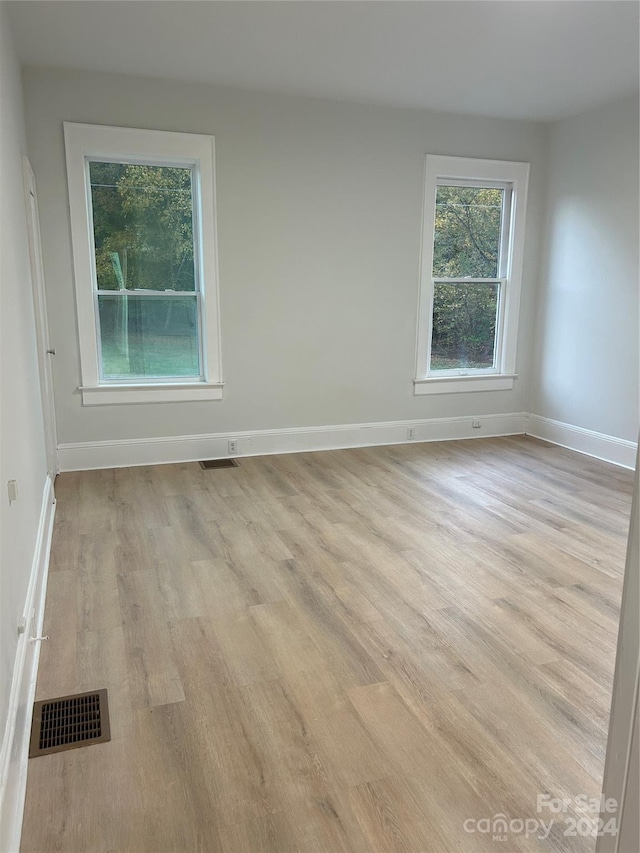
(319, 208)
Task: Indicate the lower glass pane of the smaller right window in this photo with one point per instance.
(464, 326)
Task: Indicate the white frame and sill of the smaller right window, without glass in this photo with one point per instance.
(465, 171)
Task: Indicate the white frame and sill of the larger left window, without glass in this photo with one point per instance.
(86, 142)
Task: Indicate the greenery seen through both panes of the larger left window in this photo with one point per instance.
(144, 246)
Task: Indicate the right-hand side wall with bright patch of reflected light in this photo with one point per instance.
(586, 352)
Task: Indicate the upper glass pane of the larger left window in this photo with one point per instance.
(142, 226)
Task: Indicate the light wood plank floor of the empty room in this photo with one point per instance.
(343, 651)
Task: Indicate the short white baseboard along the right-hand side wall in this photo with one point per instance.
(619, 451)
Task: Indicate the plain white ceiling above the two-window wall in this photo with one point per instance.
(539, 59)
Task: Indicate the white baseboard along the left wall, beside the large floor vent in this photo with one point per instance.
(15, 744)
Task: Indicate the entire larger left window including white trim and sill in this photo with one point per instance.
(143, 229)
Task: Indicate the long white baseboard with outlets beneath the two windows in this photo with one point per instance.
(190, 448)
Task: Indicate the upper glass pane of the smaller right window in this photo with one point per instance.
(467, 232)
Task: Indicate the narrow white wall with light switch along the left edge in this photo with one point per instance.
(22, 451)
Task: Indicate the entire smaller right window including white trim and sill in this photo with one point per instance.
(472, 248)
